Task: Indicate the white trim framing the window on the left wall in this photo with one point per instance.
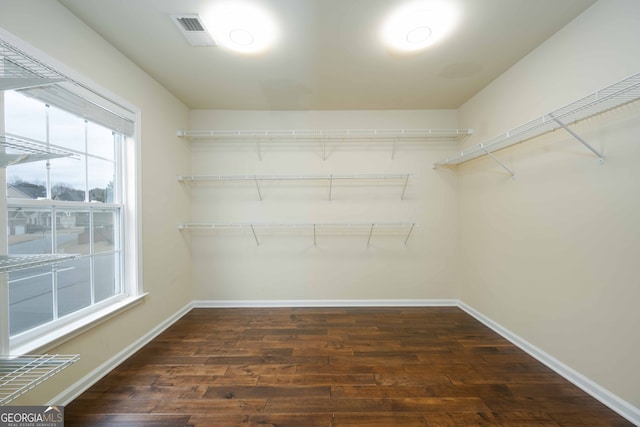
(132, 279)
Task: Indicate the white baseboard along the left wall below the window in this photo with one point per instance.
(94, 376)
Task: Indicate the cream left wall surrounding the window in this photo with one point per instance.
(49, 27)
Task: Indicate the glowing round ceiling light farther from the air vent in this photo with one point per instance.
(418, 25)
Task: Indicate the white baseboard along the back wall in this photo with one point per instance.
(325, 303)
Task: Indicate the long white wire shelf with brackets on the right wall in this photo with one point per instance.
(613, 96)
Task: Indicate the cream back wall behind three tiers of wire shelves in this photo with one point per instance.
(230, 266)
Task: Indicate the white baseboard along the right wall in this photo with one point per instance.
(598, 392)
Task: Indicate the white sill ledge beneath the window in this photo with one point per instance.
(73, 329)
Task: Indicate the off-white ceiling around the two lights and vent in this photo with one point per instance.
(329, 55)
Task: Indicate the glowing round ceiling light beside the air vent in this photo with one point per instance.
(242, 27)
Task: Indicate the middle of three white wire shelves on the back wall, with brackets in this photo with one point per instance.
(402, 178)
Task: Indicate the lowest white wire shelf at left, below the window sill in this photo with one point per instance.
(22, 373)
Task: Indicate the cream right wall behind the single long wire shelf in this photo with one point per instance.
(552, 255)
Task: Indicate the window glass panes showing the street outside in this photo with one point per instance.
(41, 295)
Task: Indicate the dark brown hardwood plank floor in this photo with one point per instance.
(434, 366)
